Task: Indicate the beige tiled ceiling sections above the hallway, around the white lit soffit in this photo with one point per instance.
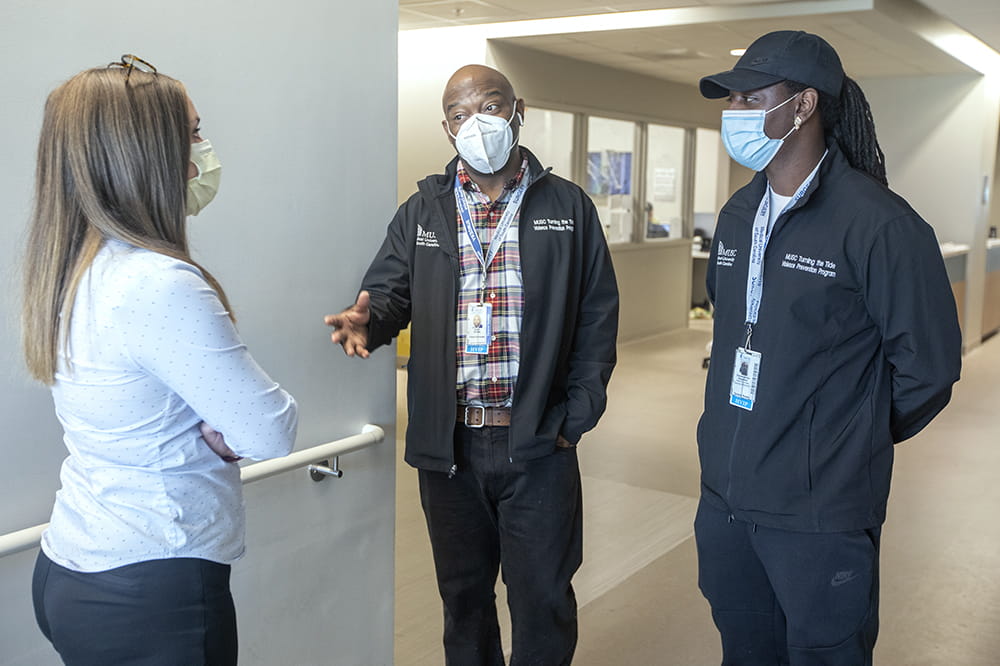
(870, 44)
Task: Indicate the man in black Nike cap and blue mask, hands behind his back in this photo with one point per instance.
(835, 337)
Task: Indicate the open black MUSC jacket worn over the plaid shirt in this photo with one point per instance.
(568, 329)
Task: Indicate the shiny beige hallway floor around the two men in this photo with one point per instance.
(638, 594)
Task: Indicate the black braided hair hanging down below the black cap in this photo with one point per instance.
(848, 119)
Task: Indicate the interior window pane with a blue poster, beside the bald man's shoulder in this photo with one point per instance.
(609, 178)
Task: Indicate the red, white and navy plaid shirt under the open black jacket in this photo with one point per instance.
(488, 379)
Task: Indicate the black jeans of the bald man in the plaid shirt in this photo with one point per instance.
(525, 518)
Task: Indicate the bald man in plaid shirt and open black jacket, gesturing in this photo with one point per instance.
(496, 409)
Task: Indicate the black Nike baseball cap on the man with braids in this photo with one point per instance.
(785, 55)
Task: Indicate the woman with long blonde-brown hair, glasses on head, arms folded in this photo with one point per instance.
(157, 394)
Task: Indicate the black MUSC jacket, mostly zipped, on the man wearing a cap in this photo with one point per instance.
(860, 347)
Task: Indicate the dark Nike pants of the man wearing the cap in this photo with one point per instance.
(780, 597)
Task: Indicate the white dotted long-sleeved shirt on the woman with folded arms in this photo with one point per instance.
(152, 354)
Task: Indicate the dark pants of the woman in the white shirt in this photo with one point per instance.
(155, 613)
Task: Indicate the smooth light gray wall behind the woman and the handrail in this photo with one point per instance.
(307, 138)
